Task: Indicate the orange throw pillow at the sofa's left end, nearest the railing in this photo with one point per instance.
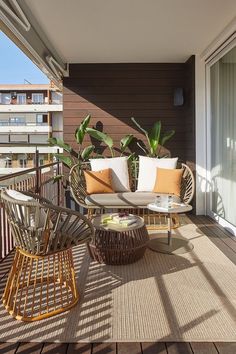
(98, 181)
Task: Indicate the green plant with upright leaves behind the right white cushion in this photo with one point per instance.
(155, 138)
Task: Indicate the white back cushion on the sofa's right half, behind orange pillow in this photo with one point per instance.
(148, 168)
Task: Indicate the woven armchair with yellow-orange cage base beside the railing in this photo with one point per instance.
(41, 282)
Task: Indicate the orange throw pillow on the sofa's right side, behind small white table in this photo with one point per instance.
(168, 181)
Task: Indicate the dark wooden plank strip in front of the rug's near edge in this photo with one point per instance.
(118, 348)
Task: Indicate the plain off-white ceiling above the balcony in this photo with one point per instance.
(95, 31)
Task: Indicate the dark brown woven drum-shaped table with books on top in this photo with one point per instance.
(116, 245)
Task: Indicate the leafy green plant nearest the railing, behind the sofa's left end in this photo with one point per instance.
(70, 156)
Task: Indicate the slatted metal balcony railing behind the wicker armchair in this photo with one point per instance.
(40, 180)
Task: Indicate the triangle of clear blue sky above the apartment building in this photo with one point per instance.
(15, 66)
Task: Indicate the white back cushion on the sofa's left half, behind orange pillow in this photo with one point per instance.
(120, 173)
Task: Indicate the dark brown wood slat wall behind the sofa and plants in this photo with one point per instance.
(113, 93)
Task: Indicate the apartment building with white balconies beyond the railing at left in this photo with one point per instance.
(29, 116)
